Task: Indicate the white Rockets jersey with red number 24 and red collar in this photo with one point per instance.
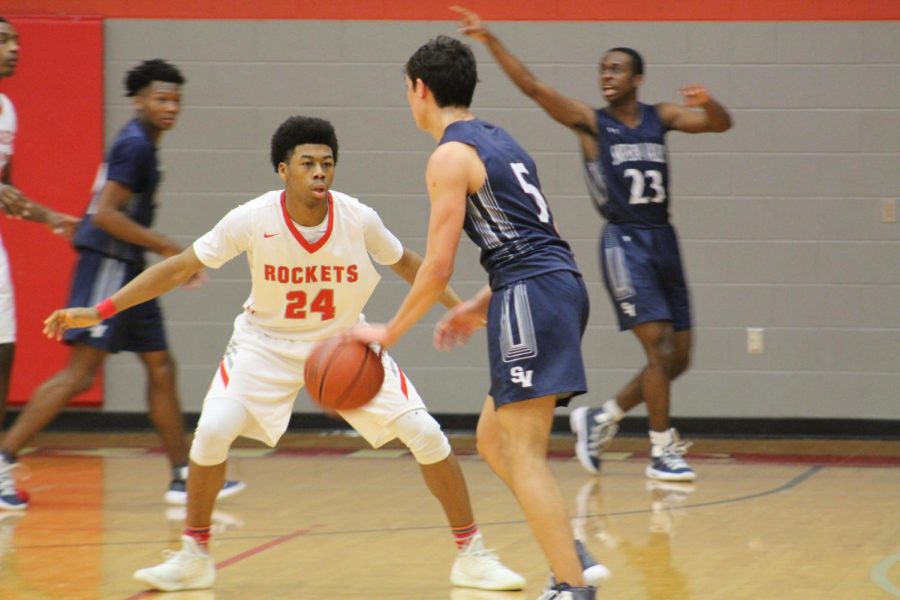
(302, 290)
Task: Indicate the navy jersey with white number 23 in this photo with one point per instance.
(629, 182)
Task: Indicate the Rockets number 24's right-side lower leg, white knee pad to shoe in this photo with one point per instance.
(475, 566)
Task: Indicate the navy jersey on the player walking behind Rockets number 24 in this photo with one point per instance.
(132, 162)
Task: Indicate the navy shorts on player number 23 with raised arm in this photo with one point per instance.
(644, 276)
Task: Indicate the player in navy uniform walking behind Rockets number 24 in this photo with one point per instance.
(111, 242)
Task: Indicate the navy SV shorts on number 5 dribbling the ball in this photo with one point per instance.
(534, 338)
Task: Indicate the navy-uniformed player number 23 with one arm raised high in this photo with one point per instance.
(626, 168)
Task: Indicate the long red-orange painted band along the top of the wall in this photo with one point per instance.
(405, 10)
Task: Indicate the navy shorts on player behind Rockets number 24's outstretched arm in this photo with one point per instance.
(138, 329)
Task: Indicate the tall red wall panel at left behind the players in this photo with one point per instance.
(58, 94)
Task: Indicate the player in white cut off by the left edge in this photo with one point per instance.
(15, 204)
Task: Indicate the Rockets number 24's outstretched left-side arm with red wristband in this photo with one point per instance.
(159, 279)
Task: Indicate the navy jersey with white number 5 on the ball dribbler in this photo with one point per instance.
(508, 218)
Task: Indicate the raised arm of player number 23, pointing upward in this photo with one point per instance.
(572, 113)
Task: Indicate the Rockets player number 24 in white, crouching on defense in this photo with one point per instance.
(309, 250)
